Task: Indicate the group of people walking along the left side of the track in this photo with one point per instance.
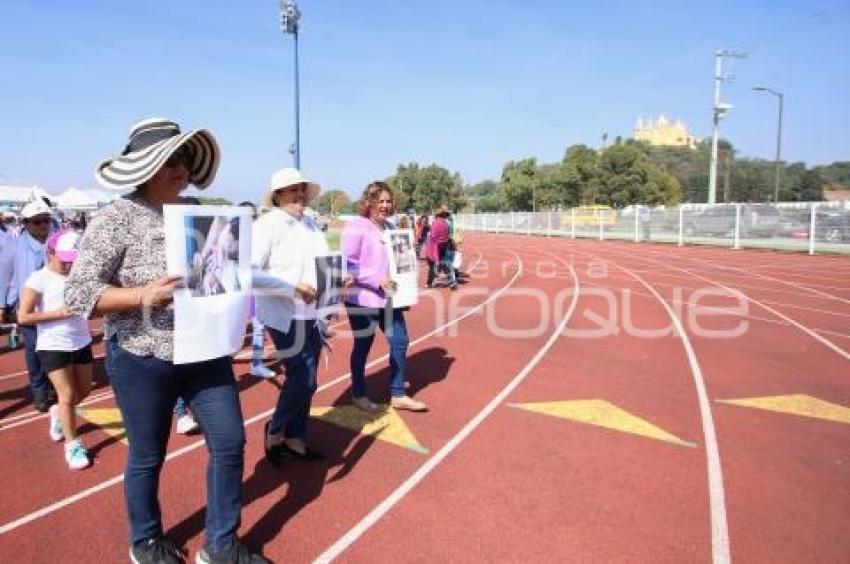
(55, 279)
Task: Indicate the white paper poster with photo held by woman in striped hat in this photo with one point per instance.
(210, 247)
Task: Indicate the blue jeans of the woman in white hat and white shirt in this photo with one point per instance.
(299, 349)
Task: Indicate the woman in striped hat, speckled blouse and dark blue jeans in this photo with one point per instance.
(120, 272)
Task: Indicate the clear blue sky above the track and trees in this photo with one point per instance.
(466, 84)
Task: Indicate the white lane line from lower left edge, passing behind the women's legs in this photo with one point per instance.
(56, 506)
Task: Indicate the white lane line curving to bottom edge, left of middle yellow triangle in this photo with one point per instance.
(402, 490)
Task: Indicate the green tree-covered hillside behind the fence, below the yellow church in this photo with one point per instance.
(634, 172)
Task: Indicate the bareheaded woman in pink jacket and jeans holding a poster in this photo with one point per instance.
(369, 303)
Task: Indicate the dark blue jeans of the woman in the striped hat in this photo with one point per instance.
(146, 389)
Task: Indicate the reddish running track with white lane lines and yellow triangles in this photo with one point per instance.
(591, 401)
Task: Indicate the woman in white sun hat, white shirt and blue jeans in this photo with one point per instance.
(285, 245)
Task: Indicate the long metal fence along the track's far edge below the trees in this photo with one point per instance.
(795, 226)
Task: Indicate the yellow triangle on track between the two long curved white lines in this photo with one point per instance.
(602, 414)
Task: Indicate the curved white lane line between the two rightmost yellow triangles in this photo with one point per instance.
(717, 498)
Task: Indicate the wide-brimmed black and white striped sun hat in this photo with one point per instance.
(152, 142)
